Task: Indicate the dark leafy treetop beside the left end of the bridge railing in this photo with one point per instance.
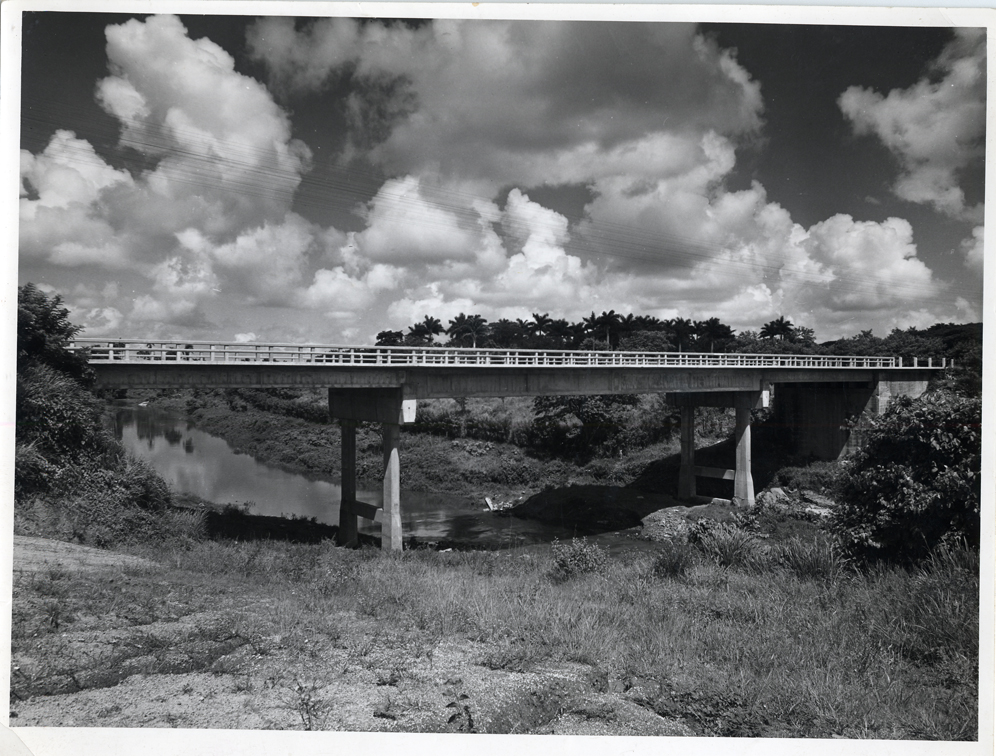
(44, 334)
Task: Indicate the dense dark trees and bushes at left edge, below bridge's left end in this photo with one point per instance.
(71, 478)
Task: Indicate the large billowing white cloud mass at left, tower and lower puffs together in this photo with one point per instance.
(210, 215)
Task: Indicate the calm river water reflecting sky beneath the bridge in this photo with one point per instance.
(195, 462)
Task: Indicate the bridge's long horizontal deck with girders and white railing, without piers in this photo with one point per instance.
(427, 372)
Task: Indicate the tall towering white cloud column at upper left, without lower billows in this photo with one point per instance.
(181, 102)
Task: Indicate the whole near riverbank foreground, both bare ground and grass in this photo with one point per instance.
(706, 637)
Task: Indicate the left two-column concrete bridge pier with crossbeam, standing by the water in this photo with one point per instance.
(388, 407)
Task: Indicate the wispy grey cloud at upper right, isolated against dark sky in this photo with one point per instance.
(936, 127)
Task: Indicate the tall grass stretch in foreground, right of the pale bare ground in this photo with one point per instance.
(794, 642)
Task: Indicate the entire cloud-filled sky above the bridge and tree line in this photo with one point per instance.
(320, 180)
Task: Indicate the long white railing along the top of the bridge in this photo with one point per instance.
(118, 351)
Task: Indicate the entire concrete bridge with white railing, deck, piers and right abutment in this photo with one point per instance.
(816, 394)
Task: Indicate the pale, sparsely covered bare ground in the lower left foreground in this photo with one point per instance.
(168, 649)
